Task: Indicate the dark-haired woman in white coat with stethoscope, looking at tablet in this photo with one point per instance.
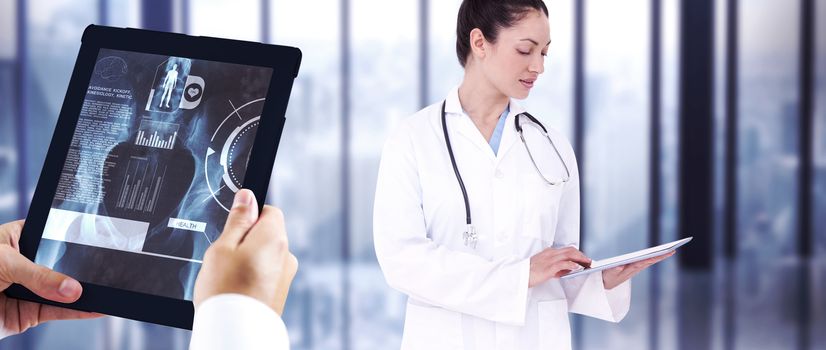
(476, 214)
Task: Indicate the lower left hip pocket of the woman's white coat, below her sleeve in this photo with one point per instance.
(430, 327)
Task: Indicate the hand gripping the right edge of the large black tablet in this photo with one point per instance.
(251, 256)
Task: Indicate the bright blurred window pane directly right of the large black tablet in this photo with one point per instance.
(306, 180)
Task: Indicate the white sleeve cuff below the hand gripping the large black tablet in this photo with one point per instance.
(235, 321)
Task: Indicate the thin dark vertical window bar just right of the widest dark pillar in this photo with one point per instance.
(731, 174)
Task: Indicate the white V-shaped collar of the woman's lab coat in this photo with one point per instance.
(469, 130)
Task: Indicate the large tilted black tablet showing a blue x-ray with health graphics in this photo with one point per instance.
(156, 134)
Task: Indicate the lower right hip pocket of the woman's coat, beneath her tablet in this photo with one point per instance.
(554, 326)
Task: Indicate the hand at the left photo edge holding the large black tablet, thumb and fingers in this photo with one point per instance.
(18, 315)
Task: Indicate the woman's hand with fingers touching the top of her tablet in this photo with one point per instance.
(554, 263)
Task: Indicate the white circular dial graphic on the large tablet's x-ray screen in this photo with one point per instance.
(229, 149)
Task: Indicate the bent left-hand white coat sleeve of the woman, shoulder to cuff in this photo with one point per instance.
(424, 270)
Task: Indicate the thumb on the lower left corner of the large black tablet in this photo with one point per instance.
(40, 280)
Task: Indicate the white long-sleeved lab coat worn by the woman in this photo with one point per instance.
(461, 298)
